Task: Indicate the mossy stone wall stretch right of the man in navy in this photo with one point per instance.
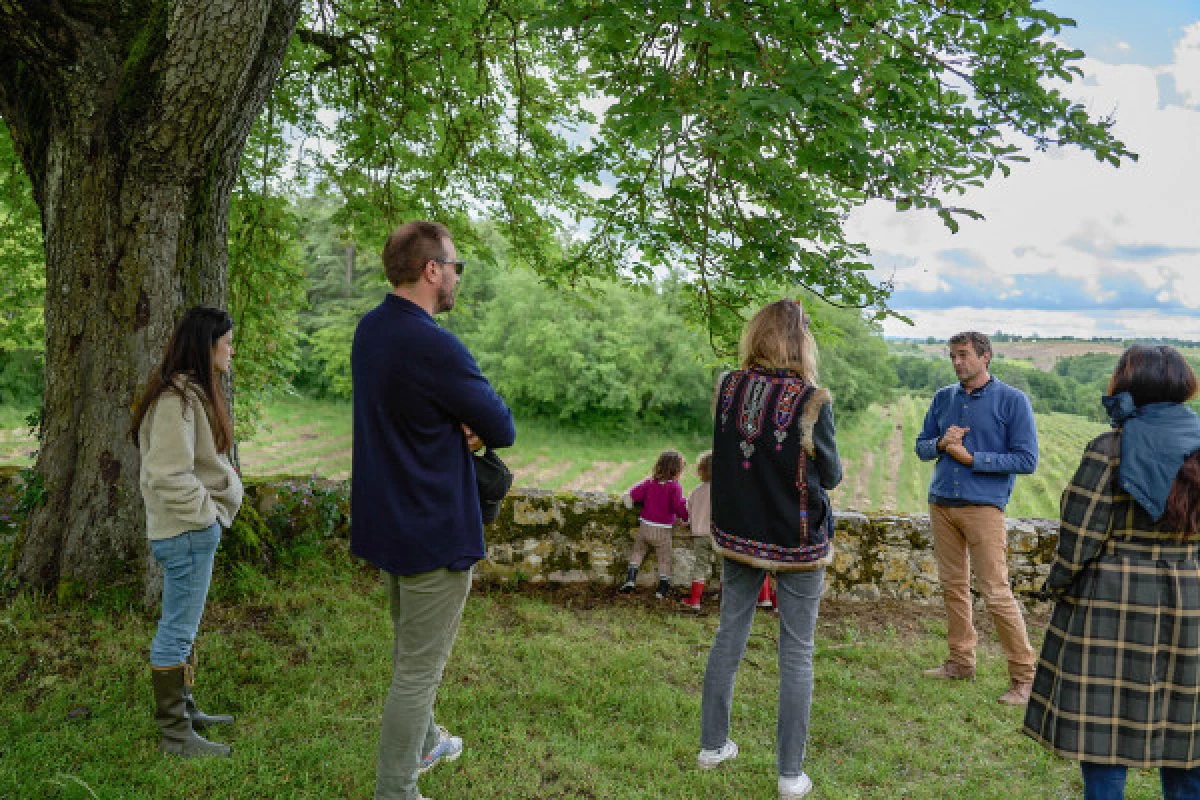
(561, 538)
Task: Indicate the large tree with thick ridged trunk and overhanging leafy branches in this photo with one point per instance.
(735, 137)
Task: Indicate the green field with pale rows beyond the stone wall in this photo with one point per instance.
(305, 437)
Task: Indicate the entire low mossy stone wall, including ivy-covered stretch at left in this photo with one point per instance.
(562, 538)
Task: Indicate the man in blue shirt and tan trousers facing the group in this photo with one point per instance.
(982, 435)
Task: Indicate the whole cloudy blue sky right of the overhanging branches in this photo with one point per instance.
(1071, 246)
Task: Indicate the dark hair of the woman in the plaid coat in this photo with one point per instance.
(1161, 375)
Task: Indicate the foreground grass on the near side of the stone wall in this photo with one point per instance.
(567, 695)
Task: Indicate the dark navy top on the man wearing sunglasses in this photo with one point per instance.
(415, 507)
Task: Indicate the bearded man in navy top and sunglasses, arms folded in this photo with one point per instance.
(421, 404)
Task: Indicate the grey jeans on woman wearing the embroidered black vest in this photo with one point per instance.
(800, 598)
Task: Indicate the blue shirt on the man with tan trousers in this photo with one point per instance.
(1003, 438)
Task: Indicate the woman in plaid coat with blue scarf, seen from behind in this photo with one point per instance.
(1118, 683)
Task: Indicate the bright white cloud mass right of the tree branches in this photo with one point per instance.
(1069, 214)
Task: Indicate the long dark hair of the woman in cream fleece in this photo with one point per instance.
(189, 353)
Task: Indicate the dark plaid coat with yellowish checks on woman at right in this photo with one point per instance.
(1119, 677)
